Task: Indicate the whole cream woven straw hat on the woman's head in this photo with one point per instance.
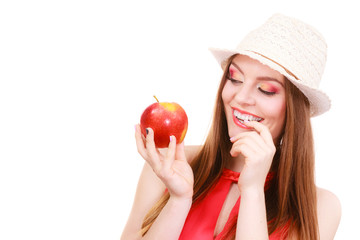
(291, 47)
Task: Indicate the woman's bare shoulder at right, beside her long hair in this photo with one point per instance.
(329, 213)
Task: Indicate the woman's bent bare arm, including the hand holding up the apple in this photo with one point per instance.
(169, 170)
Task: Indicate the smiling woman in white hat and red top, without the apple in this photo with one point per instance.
(254, 176)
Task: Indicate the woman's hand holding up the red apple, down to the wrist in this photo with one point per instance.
(172, 167)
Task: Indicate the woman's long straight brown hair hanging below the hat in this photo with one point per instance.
(291, 195)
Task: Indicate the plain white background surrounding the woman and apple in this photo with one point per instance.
(76, 76)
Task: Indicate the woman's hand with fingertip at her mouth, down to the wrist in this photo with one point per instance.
(258, 149)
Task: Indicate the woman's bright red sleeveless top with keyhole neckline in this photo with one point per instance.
(201, 220)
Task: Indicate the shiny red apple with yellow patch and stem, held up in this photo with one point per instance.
(165, 119)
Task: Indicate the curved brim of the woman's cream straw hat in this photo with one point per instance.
(319, 101)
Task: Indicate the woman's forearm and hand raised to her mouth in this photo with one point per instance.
(256, 148)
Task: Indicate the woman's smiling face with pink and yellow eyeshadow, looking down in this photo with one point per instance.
(254, 92)
